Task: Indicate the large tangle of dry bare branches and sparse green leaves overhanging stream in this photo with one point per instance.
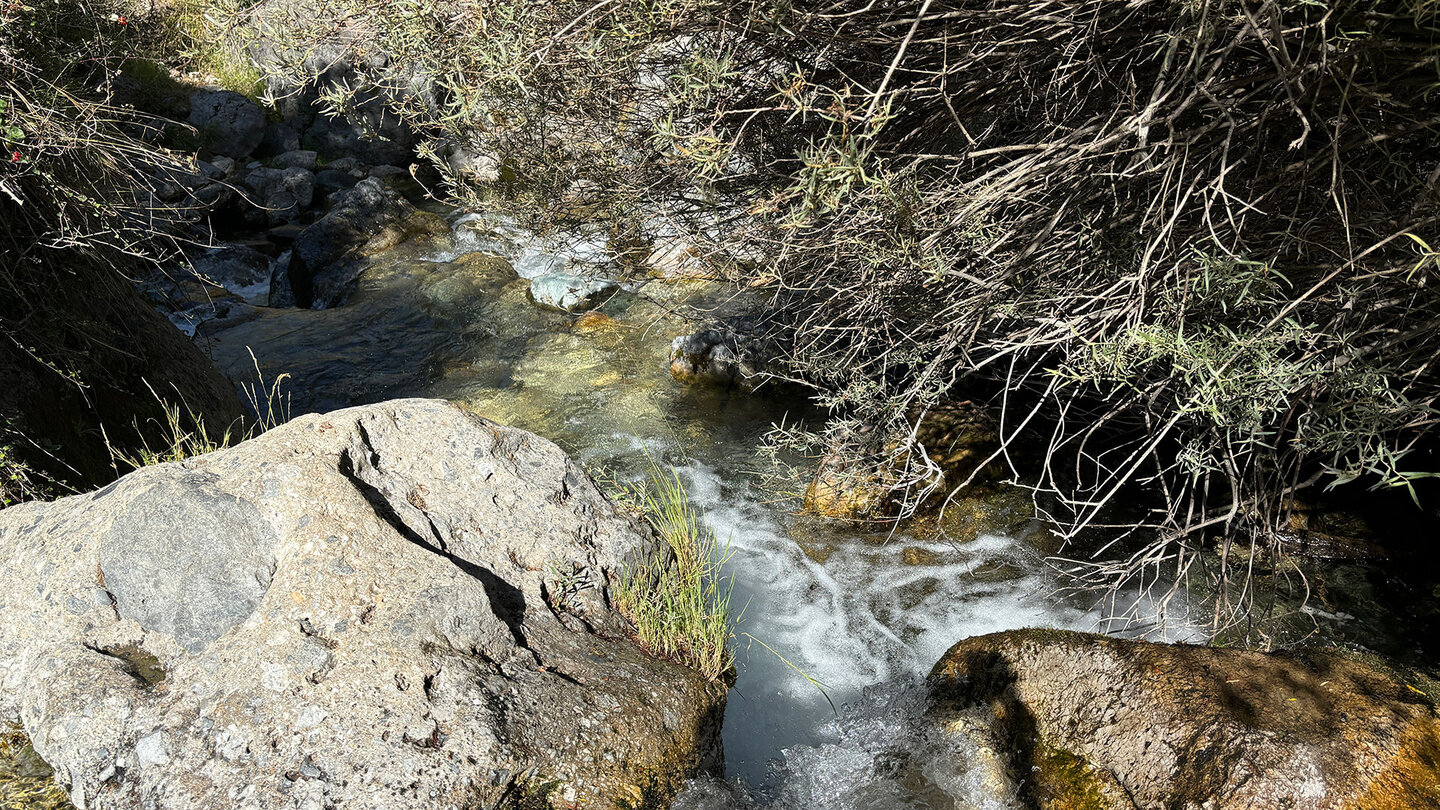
(1189, 241)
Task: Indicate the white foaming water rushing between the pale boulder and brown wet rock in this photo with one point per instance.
(855, 616)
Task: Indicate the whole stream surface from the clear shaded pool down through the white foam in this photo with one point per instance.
(820, 603)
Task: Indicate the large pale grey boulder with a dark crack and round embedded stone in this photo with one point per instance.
(384, 607)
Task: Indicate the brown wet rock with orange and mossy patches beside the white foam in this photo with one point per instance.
(1086, 721)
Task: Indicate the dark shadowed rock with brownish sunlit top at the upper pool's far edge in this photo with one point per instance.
(329, 256)
